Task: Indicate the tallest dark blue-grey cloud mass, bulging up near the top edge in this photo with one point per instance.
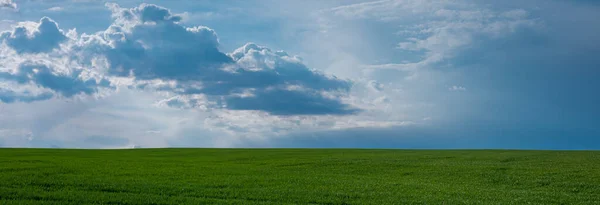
(148, 42)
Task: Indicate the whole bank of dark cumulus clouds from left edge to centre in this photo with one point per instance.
(148, 45)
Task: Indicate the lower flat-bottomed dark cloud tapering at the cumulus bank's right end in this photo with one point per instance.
(273, 82)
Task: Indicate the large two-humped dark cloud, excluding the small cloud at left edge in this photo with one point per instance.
(148, 43)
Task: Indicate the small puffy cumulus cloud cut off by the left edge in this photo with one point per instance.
(33, 67)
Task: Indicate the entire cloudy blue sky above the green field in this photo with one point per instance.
(418, 74)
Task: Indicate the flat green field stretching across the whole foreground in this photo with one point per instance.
(298, 176)
